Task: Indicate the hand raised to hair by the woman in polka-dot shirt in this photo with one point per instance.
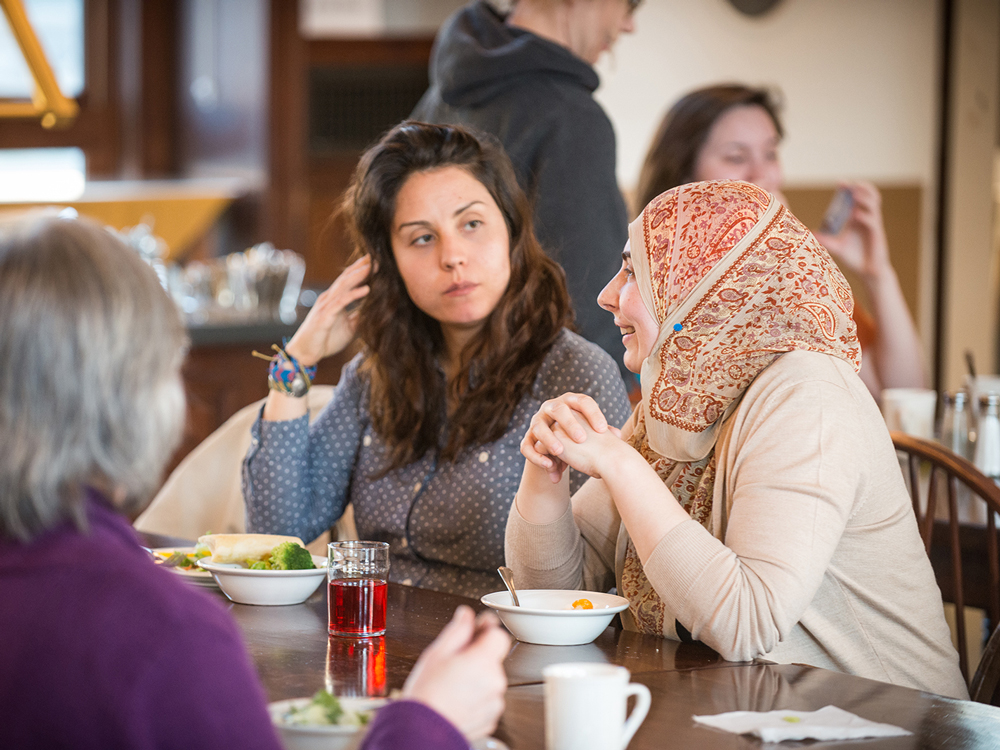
(329, 327)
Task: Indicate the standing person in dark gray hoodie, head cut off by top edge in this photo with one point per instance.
(528, 78)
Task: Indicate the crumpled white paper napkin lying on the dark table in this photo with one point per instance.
(829, 723)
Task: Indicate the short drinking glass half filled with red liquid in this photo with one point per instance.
(357, 576)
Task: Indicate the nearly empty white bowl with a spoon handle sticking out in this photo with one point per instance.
(546, 616)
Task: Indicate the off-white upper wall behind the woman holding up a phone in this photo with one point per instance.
(859, 80)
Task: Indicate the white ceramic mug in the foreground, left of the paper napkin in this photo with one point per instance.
(585, 705)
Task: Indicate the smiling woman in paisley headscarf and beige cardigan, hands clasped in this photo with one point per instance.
(754, 500)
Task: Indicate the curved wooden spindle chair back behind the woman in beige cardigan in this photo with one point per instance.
(964, 555)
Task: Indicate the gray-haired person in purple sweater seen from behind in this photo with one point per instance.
(100, 648)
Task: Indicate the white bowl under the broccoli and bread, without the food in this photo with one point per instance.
(266, 587)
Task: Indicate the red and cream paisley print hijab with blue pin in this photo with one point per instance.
(733, 280)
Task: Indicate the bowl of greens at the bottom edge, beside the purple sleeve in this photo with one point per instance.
(323, 722)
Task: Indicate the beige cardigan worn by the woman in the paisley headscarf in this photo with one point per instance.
(814, 556)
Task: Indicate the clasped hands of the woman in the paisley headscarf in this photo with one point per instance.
(571, 431)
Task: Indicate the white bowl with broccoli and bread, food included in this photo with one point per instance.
(284, 573)
